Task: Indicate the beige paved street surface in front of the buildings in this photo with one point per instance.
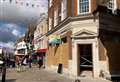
(36, 75)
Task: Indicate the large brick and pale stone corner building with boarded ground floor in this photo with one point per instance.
(86, 37)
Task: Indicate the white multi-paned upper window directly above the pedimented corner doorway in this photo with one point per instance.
(83, 6)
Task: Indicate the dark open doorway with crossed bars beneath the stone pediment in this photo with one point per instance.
(85, 63)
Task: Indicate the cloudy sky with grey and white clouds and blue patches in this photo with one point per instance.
(16, 15)
